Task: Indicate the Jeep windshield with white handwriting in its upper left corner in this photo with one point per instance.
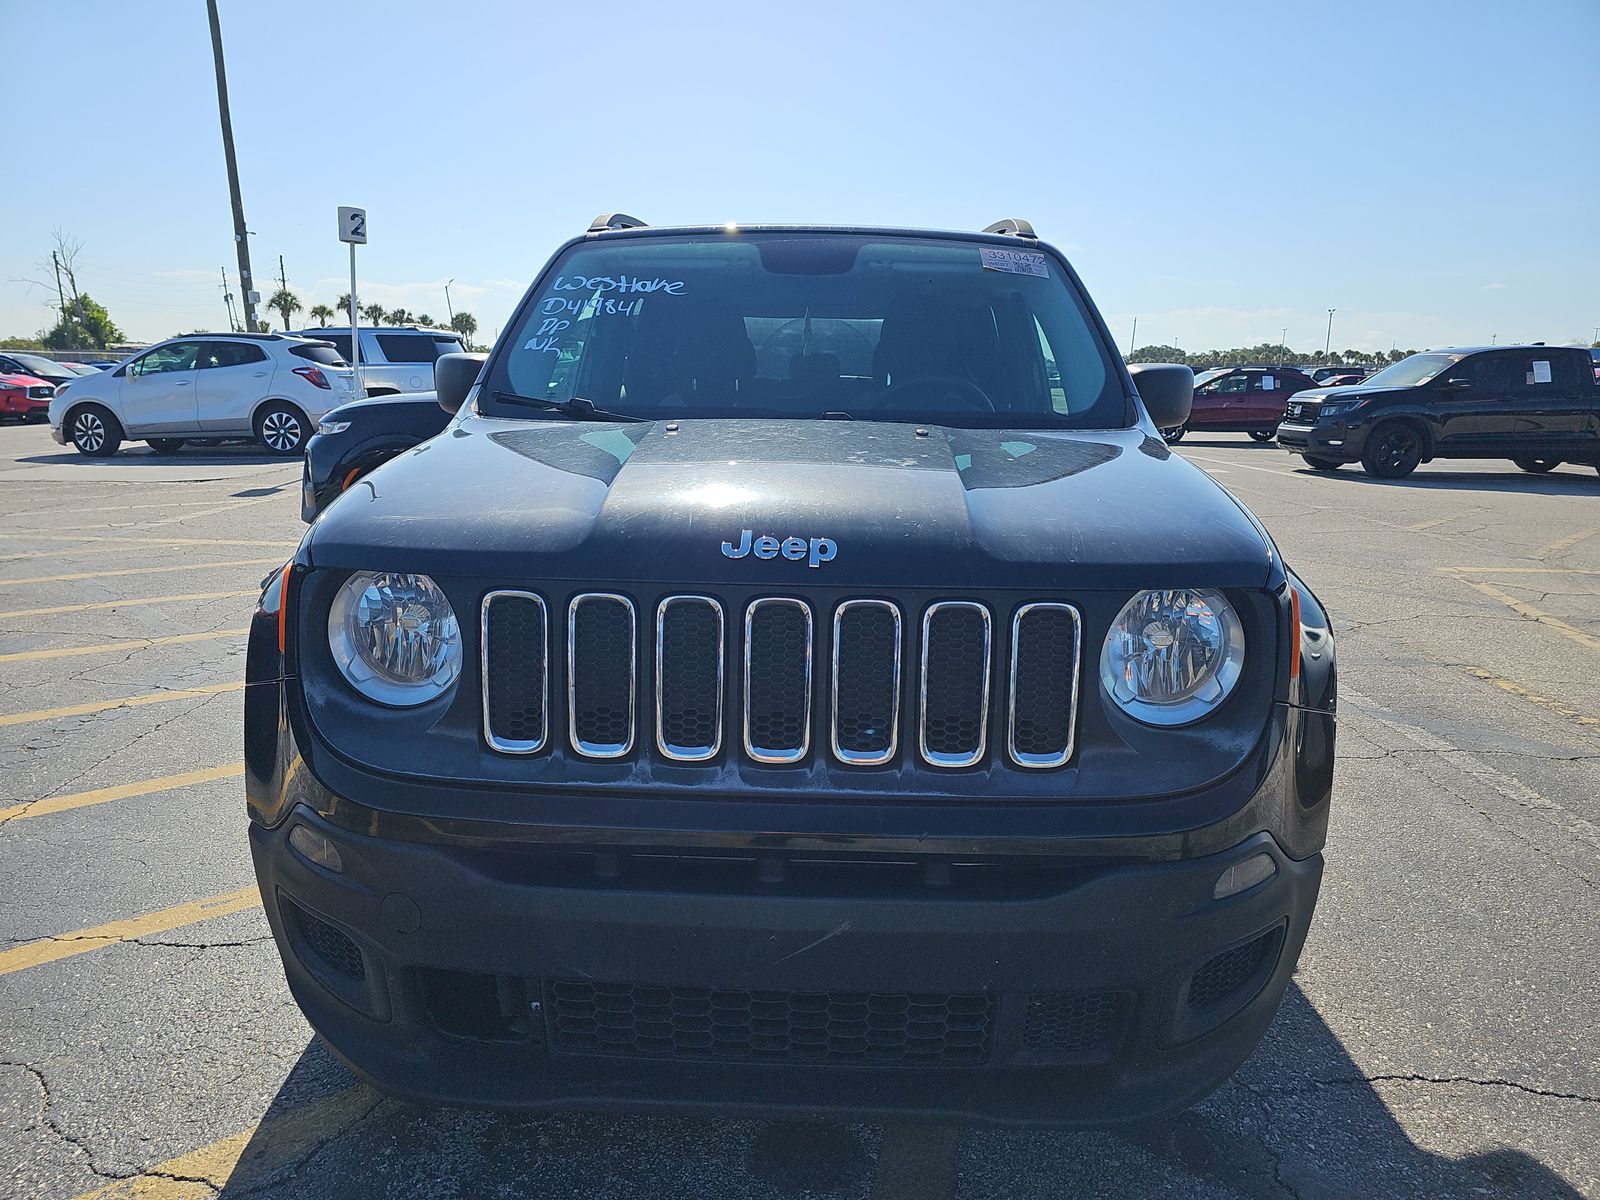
(802, 326)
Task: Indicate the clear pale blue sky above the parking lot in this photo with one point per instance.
(1217, 170)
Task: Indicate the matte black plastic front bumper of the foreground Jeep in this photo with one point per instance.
(538, 978)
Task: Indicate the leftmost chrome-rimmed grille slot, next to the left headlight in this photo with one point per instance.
(514, 649)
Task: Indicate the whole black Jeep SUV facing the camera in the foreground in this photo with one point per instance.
(799, 681)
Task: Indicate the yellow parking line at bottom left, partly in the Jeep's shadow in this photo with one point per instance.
(247, 1156)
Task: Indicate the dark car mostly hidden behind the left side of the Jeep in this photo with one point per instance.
(362, 436)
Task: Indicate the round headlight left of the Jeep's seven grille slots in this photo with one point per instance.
(394, 638)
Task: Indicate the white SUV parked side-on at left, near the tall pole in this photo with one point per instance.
(206, 386)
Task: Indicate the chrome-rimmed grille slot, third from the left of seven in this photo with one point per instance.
(689, 678)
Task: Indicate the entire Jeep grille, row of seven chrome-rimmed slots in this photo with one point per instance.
(935, 689)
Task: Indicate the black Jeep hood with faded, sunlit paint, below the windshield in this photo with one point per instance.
(522, 502)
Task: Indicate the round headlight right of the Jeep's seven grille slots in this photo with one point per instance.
(1172, 657)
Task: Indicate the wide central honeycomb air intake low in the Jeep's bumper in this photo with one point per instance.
(900, 1030)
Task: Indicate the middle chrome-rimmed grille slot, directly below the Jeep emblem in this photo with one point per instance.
(778, 681)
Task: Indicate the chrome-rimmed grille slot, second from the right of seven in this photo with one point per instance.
(954, 695)
